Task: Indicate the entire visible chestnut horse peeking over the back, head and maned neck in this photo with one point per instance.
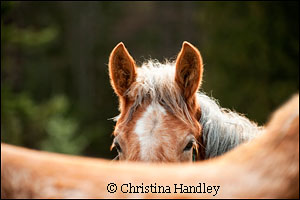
(163, 115)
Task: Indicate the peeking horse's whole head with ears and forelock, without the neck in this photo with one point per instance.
(159, 115)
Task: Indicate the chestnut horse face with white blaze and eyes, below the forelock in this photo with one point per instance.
(155, 135)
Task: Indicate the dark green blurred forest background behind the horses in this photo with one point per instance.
(55, 89)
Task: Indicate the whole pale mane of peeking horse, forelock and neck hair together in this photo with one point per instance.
(222, 129)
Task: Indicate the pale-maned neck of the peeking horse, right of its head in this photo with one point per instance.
(222, 129)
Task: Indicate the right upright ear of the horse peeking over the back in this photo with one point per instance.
(189, 70)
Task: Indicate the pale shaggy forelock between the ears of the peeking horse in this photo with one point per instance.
(155, 83)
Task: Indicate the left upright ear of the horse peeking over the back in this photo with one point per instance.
(122, 69)
